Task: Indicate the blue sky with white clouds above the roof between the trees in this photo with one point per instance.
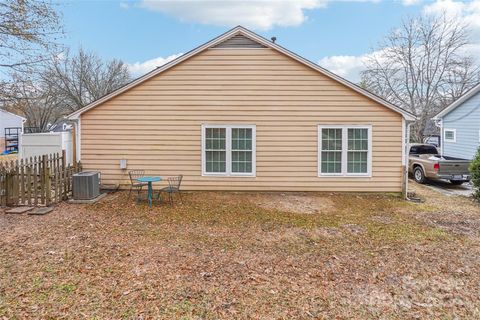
(337, 34)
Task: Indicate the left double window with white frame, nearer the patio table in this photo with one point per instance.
(228, 150)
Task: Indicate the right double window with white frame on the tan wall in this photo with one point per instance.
(344, 150)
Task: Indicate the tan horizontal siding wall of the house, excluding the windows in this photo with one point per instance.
(157, 125)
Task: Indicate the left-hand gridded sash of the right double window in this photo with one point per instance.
(331, 150)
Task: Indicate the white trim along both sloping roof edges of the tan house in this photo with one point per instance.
(241, 30)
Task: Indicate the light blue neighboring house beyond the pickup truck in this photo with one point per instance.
(460, 126)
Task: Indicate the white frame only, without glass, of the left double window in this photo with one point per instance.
(228, 144)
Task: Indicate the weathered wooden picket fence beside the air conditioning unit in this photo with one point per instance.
(37, 181)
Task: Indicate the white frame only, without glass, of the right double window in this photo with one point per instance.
(344, 172)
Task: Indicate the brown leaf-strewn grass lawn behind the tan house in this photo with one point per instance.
(261, 256)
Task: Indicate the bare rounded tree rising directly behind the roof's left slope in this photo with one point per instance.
(82, 78)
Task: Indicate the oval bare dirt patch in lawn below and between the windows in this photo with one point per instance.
(303, 203)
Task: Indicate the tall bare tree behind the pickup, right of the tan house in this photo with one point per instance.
(422, 66)
